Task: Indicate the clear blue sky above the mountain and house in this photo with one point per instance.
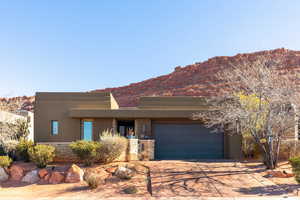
(83, 45)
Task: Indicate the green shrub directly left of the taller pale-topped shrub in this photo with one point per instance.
(85, 151)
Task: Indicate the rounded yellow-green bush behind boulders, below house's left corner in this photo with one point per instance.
(42, 155)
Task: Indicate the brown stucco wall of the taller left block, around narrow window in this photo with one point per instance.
(56, 106)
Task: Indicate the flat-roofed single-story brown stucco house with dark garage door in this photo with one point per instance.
(162, 126)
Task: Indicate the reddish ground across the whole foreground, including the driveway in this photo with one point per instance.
(153, 179)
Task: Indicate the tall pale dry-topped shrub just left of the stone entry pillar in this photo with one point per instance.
(112, 146)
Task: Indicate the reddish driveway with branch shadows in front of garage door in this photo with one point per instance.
(214, 179)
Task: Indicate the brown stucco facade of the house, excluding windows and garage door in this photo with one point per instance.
(70, 108)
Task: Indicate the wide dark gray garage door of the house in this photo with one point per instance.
(187, 141)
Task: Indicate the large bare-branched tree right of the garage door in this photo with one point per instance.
(259, 98)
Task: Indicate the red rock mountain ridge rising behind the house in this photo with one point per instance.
(192, 80)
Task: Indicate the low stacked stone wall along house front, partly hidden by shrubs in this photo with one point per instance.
(136, 150)
